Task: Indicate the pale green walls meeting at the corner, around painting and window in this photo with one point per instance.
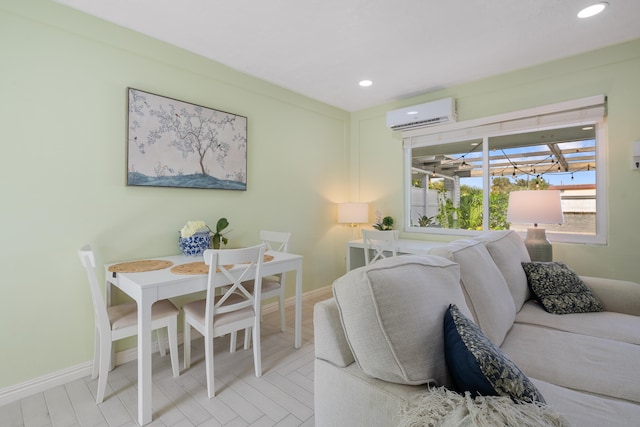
(63, 86)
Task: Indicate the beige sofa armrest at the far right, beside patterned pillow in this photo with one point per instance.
(618, 296)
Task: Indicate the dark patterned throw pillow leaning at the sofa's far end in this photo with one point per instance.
(559, 289)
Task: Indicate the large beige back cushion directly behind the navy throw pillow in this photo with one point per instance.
(392, 313)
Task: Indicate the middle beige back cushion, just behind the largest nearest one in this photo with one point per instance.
(487, 293)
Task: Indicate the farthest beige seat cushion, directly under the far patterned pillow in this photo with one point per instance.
(605, 324)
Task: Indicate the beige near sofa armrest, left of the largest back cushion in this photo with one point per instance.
(330, 341)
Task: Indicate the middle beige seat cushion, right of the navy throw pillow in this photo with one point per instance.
(580, 362)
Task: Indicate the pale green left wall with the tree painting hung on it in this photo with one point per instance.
(63, 112)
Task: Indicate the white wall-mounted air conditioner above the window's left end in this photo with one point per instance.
(431, 113)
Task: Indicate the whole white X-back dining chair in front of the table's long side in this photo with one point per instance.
(233, 310)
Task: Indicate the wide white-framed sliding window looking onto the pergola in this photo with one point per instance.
(459, 176)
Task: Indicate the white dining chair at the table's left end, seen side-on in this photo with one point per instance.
(120, 321)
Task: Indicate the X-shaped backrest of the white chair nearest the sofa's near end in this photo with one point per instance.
(236, 266)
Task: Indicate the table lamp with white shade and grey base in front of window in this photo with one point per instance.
(537, 207)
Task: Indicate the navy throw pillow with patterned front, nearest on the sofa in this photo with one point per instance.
(479, 366)
